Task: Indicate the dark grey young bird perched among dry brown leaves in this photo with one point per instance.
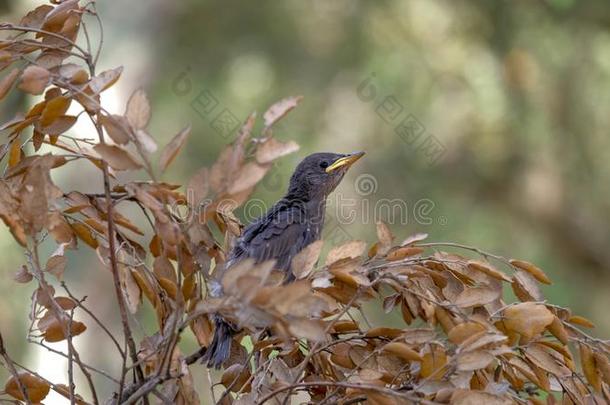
(290, 225)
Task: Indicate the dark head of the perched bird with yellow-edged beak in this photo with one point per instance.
(319, 174)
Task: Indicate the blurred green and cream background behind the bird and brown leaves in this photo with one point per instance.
(506, 106)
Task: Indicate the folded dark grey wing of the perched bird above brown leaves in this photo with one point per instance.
(279, 235)
